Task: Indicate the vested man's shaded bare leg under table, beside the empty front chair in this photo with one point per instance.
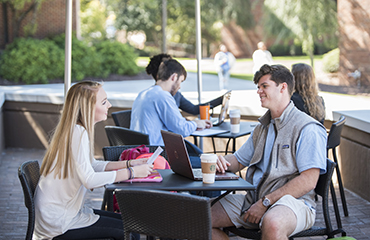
(219, 219)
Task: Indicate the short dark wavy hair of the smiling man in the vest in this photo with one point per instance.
(279, 74)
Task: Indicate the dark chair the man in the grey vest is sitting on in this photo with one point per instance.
(322, 189)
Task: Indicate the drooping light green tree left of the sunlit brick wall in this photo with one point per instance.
(305, 21)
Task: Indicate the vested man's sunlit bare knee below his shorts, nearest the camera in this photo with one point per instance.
(278, 223)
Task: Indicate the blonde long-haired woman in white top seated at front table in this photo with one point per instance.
(69, 171)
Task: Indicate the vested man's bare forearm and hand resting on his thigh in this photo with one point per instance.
(297, 187)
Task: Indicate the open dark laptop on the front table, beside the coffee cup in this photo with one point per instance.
(179, 159)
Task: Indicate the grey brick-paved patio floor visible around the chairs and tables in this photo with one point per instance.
(14, 218)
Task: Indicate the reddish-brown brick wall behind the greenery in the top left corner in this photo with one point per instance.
(50, 20)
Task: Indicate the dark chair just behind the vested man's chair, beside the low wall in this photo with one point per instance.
(333, 142)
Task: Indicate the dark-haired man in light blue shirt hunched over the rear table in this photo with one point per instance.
(155, 109)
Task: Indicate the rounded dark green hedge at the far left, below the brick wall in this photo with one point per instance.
(32, 61)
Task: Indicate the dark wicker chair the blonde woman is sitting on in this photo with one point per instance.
(29, 175)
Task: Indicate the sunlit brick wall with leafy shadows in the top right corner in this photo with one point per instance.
(354, 40)
